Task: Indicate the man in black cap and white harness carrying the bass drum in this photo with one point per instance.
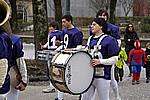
(106, 58)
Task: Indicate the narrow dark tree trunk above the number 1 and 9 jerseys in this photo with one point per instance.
(58, 12)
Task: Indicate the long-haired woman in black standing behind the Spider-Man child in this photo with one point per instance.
(129, 37)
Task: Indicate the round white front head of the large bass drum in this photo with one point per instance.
(79, 73)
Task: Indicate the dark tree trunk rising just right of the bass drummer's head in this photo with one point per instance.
(112, 10)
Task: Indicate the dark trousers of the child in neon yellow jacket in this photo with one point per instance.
(118, 74)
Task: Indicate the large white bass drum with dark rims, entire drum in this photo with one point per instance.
(71, 72)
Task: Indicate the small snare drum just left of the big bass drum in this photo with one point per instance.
(45, 54)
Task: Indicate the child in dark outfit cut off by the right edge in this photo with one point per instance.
(147, 65)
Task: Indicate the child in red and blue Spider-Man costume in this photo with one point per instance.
(137, 58)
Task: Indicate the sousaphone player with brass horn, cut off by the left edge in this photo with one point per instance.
(5, 50)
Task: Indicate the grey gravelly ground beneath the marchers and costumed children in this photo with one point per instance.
(127, 90)
